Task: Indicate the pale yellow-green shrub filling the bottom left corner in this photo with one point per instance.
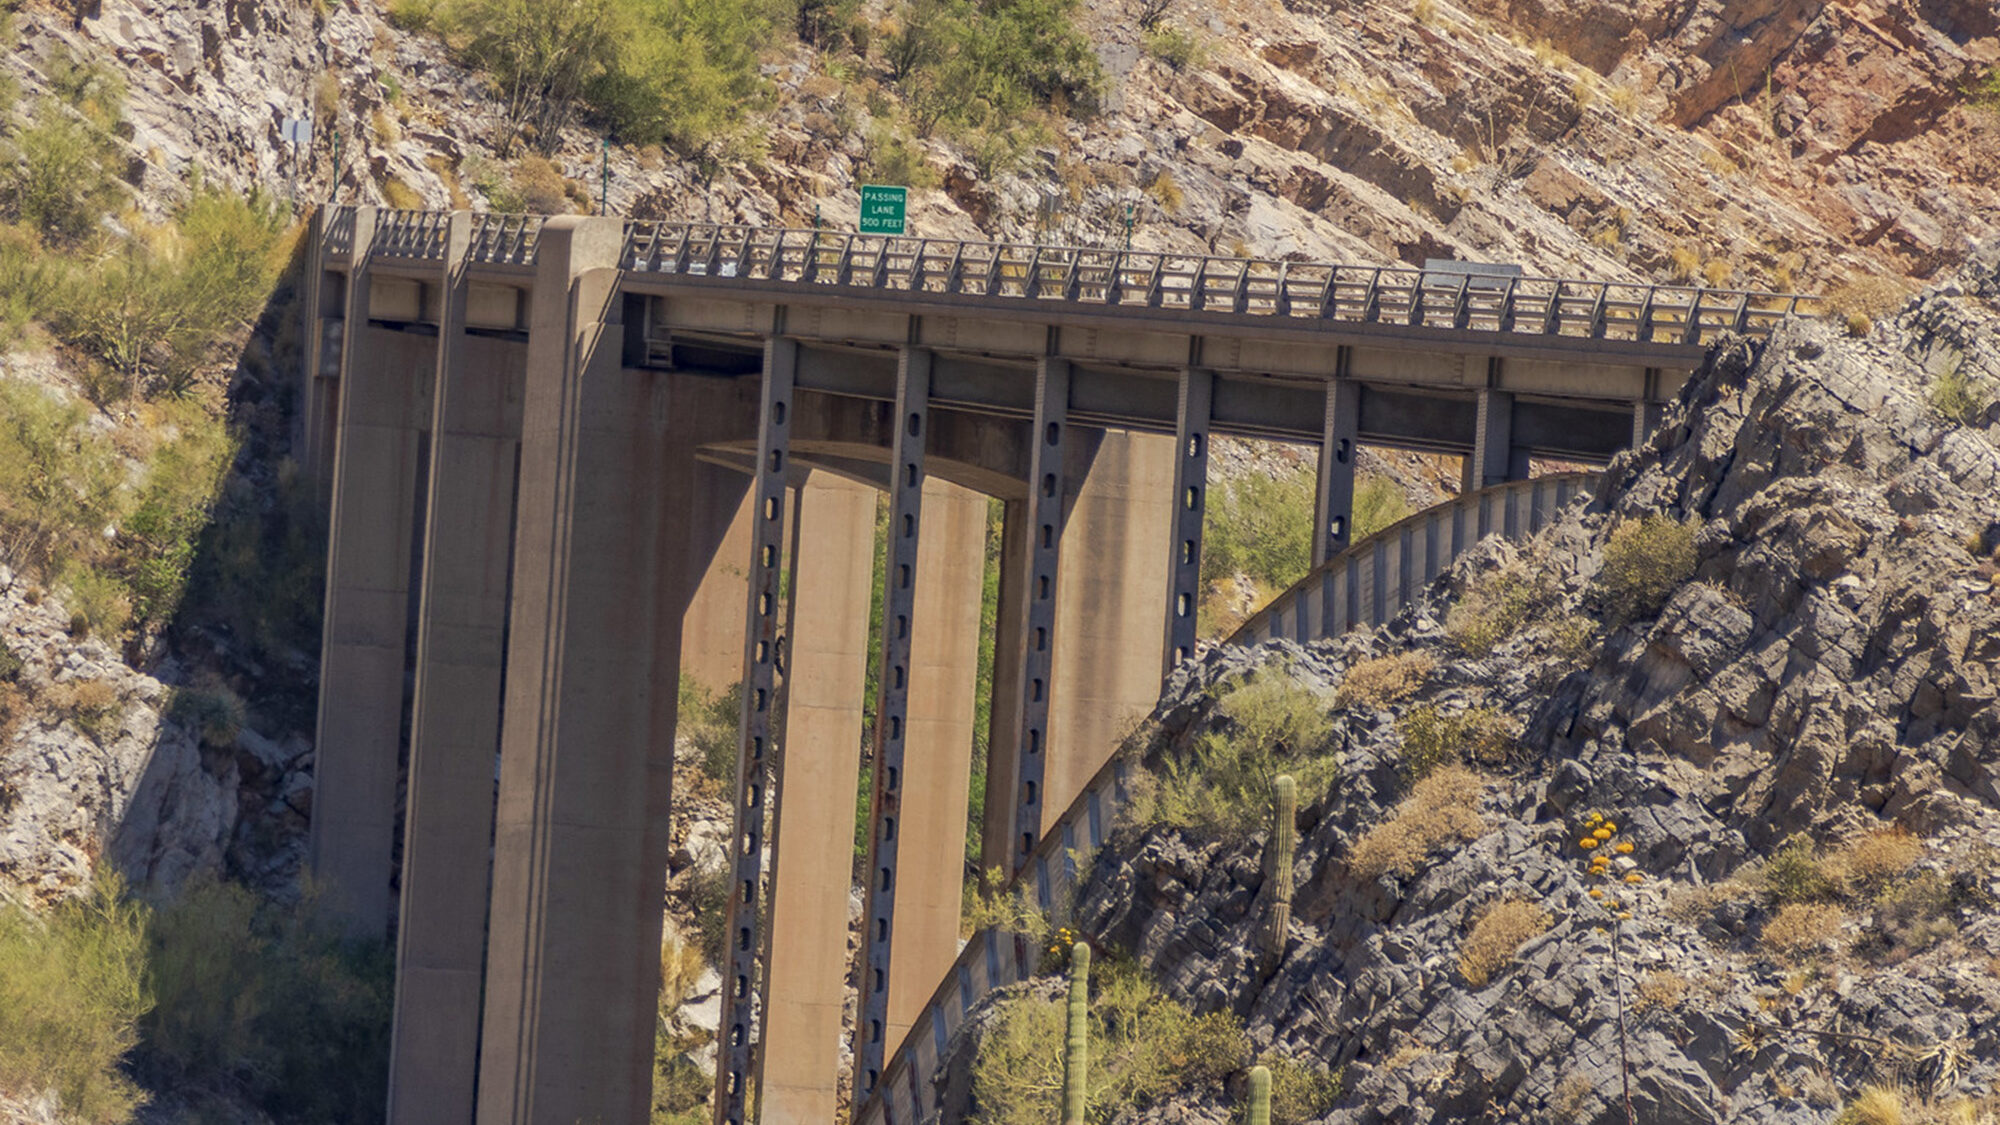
(73, 990)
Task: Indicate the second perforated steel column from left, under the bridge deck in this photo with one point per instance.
(893, 708)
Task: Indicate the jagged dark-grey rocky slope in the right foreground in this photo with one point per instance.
(1829, 676)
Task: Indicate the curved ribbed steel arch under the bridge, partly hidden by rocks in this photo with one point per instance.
(1365, 586)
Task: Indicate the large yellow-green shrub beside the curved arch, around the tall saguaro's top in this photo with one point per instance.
(1223, 786)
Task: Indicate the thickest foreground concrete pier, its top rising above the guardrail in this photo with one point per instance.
(617, 523)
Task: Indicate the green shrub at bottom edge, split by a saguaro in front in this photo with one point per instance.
(1143, 1048)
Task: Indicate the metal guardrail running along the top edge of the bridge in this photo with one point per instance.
(1129, 279)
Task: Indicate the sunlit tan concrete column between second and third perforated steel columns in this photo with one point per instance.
(939, 756)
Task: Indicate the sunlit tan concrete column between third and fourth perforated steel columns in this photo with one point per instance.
(1109, 642)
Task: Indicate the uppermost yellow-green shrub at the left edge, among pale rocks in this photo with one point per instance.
(59, 175)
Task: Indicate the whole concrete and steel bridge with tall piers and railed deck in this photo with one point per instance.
(573, 459)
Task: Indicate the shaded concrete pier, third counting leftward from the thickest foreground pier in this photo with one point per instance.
(379, 465)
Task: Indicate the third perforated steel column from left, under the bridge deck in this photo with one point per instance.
(1039, 606)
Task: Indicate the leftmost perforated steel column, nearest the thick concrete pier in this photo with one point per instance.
(753, 754)
